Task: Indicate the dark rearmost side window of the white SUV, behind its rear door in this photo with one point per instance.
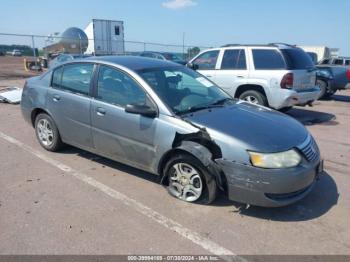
(268, 59)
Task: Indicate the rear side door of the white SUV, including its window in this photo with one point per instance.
(233, 69)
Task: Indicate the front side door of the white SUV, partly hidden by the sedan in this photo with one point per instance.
(207, 63)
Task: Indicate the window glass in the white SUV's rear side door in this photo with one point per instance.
(234, 59)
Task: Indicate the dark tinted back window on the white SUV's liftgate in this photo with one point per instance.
(297, 59)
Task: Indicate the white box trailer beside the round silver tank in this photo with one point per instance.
(106, 37)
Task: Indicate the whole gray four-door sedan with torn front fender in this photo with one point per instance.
(168, 120)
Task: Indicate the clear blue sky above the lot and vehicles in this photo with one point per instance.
(205, 22)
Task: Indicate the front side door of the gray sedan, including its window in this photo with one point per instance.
(129, 138)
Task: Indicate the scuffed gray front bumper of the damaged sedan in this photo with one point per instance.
(269, 187)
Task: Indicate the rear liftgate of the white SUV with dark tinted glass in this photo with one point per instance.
(302, 68)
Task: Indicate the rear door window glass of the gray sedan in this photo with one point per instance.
(76, 78)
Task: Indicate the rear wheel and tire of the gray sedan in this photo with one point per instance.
(47, 133)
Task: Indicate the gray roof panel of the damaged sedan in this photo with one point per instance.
(132, 62)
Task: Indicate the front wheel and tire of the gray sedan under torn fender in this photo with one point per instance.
(202, 189)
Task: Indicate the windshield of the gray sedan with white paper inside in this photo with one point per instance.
(184, 90)
